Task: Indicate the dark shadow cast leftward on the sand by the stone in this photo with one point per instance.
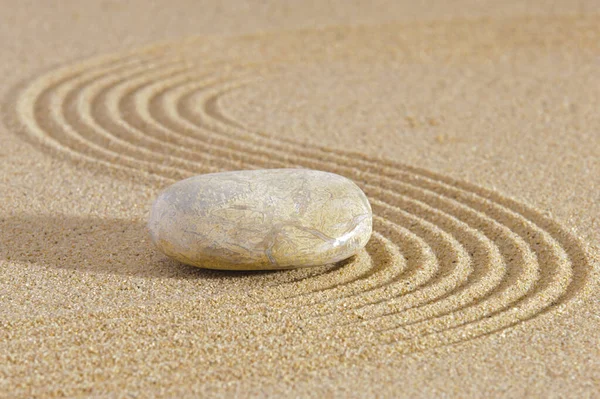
(98, 245)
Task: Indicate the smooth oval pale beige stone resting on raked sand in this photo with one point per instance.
(261, 219)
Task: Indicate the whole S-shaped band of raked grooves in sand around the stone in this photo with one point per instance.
(448, 262)
